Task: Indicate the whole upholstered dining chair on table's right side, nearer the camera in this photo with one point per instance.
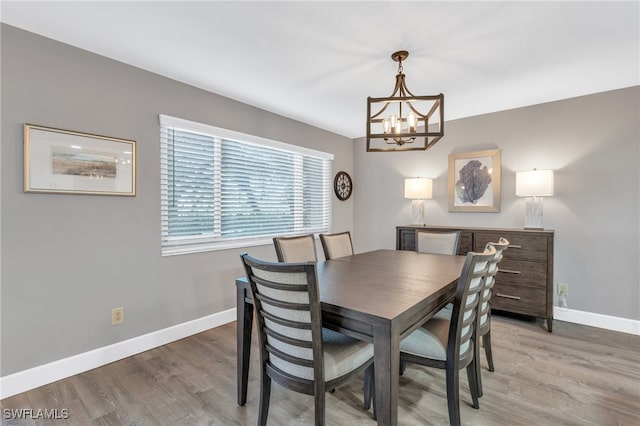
(448, 343)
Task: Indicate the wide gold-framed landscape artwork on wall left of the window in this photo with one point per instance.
(71, 162)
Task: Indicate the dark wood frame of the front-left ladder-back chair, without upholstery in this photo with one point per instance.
(318, 386)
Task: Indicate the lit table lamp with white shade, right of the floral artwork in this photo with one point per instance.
(534, 185)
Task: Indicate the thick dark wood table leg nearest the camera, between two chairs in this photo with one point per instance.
(386, 353)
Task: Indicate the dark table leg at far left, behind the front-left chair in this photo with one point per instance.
(244, 312)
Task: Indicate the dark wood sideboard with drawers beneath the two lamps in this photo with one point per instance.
(524, 284)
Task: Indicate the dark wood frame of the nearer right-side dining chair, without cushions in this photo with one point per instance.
(454, 362)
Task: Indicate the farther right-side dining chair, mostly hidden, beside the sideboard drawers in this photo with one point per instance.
(484, 308)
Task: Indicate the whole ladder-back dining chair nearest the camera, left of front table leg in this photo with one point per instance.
(295, 350)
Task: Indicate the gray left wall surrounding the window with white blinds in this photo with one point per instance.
(67, 260)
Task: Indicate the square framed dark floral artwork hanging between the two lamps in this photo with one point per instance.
(474, 181)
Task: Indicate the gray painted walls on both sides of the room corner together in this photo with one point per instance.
(66, 260)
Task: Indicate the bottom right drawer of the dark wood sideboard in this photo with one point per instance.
(519, 299)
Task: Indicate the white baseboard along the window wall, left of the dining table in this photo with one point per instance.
(41, 375)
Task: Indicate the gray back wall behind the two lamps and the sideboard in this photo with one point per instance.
(591, 142)
